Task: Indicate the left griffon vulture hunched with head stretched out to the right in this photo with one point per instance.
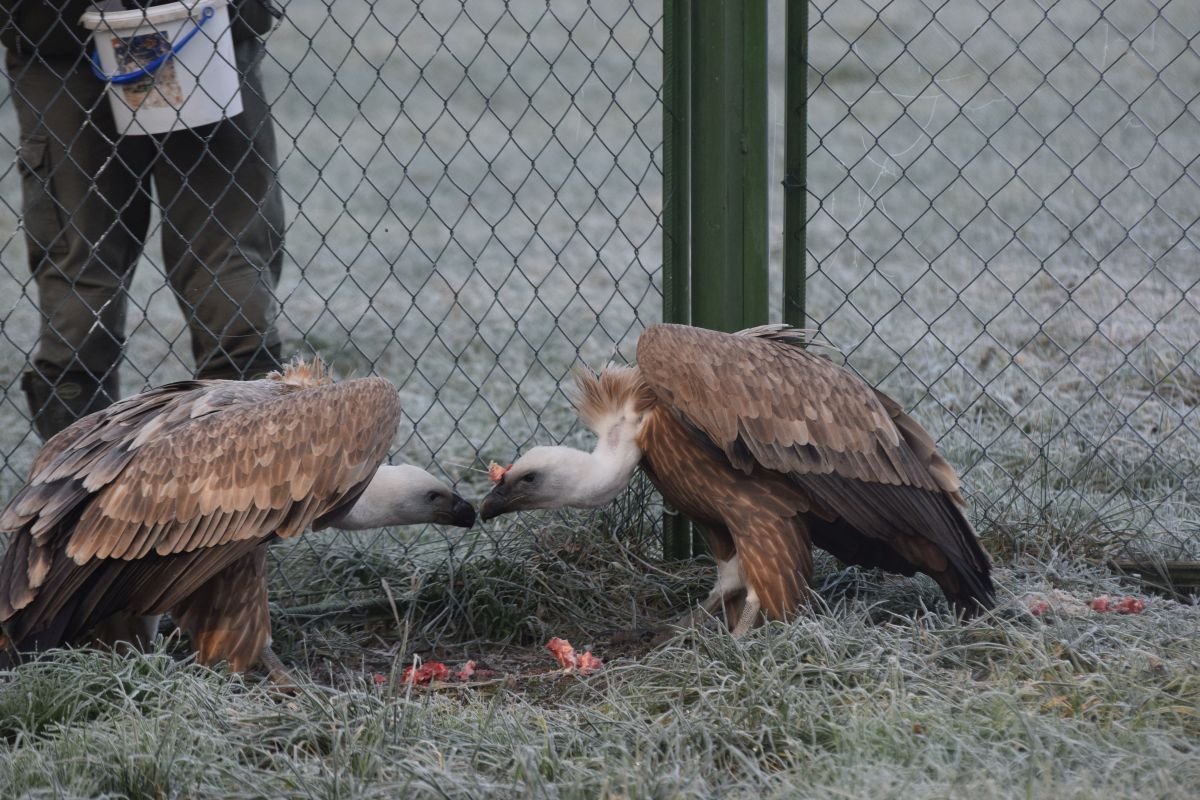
(166, 502)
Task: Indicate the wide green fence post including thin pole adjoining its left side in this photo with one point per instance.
(716, 219)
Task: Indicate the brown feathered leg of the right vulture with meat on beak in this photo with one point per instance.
(777, 563)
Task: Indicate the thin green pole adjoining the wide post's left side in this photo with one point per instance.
(676, 206)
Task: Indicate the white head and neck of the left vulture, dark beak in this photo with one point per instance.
(401, 495)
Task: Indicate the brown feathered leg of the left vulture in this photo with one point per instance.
(227, 618)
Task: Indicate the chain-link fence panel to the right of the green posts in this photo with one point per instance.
(1004, 209)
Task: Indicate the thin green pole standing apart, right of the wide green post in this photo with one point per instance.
(796, 127)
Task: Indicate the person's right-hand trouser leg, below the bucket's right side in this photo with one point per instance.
(224, 232)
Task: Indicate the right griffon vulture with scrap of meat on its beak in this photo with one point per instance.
(770, 449)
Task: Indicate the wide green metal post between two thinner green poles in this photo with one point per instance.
(729, 153)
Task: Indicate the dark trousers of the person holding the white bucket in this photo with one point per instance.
(88, 196)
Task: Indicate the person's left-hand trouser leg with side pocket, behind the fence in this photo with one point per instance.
(85, 215)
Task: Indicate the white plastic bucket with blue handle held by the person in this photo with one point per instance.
(169, 68)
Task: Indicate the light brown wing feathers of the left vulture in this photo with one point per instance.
(326, 441)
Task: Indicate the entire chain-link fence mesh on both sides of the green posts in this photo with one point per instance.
(1003, 202)
